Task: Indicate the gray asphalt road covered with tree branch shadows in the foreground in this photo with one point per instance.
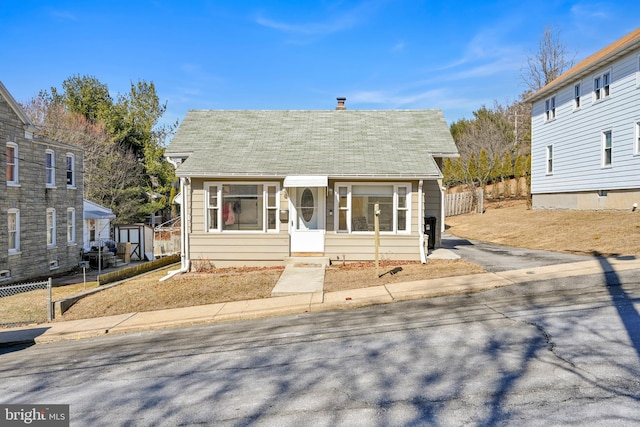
(563, 352)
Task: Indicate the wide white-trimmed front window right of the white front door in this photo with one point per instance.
(356, 207)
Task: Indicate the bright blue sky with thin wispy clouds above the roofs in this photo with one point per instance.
(380, 54)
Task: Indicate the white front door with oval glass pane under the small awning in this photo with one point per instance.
(307, 207)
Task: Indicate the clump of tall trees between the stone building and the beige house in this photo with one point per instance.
(125, 167)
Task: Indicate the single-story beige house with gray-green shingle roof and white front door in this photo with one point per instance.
(258, 187)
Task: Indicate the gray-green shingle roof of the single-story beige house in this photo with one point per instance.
(352, 143)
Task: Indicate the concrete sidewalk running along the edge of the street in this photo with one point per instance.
(301, 303)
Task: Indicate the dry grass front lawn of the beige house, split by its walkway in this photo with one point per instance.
(147, 293)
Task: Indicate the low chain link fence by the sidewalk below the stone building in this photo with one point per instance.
(25, 303)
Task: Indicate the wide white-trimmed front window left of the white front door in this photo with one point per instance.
(251, 207)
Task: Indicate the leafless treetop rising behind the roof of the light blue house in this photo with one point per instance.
(549, 62)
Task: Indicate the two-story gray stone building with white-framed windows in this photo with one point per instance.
(41, 204)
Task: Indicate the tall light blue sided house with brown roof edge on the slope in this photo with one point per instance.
(585, 132)
